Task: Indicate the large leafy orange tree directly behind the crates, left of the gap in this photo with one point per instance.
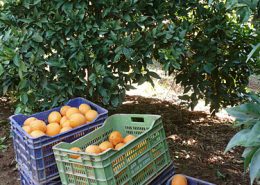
(54, 50)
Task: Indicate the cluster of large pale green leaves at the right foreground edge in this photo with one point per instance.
(248, 116)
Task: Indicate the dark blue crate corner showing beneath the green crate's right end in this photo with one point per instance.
(164, 176)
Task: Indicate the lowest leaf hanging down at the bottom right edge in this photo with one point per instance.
(255, 167)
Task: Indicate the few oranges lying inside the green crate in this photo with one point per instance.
(115, 141)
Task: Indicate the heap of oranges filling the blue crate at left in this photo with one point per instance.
(59, 122)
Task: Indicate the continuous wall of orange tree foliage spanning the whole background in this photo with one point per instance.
(54, 50)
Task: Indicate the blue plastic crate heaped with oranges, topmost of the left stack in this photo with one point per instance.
(36, 153)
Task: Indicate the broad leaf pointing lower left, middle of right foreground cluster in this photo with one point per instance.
(239, 139)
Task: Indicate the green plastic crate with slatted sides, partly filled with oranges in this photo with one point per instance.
(136, 163)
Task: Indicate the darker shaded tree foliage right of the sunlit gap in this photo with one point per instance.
(216, 67)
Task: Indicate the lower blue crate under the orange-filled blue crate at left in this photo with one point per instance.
(26, 179)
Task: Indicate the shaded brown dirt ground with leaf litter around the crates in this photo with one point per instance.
(196, 142)
